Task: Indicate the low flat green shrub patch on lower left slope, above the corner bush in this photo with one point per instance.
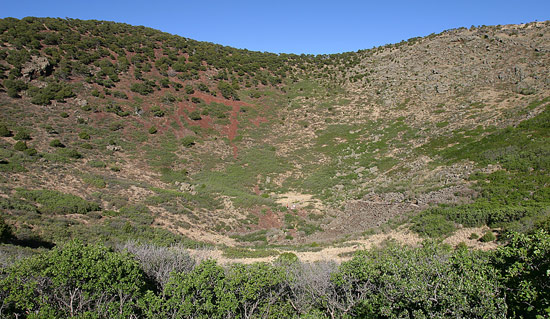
(54, 202)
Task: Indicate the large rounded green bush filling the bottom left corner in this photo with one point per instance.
(86, 281)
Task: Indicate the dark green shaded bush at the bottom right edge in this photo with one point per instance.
(524, 264)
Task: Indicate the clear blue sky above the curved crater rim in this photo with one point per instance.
(292, 26)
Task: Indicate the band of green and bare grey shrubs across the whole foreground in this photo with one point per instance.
(434, 281)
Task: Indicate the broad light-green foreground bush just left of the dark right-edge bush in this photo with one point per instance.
(401, 282)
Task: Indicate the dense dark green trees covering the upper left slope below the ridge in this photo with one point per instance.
(101, 52)
